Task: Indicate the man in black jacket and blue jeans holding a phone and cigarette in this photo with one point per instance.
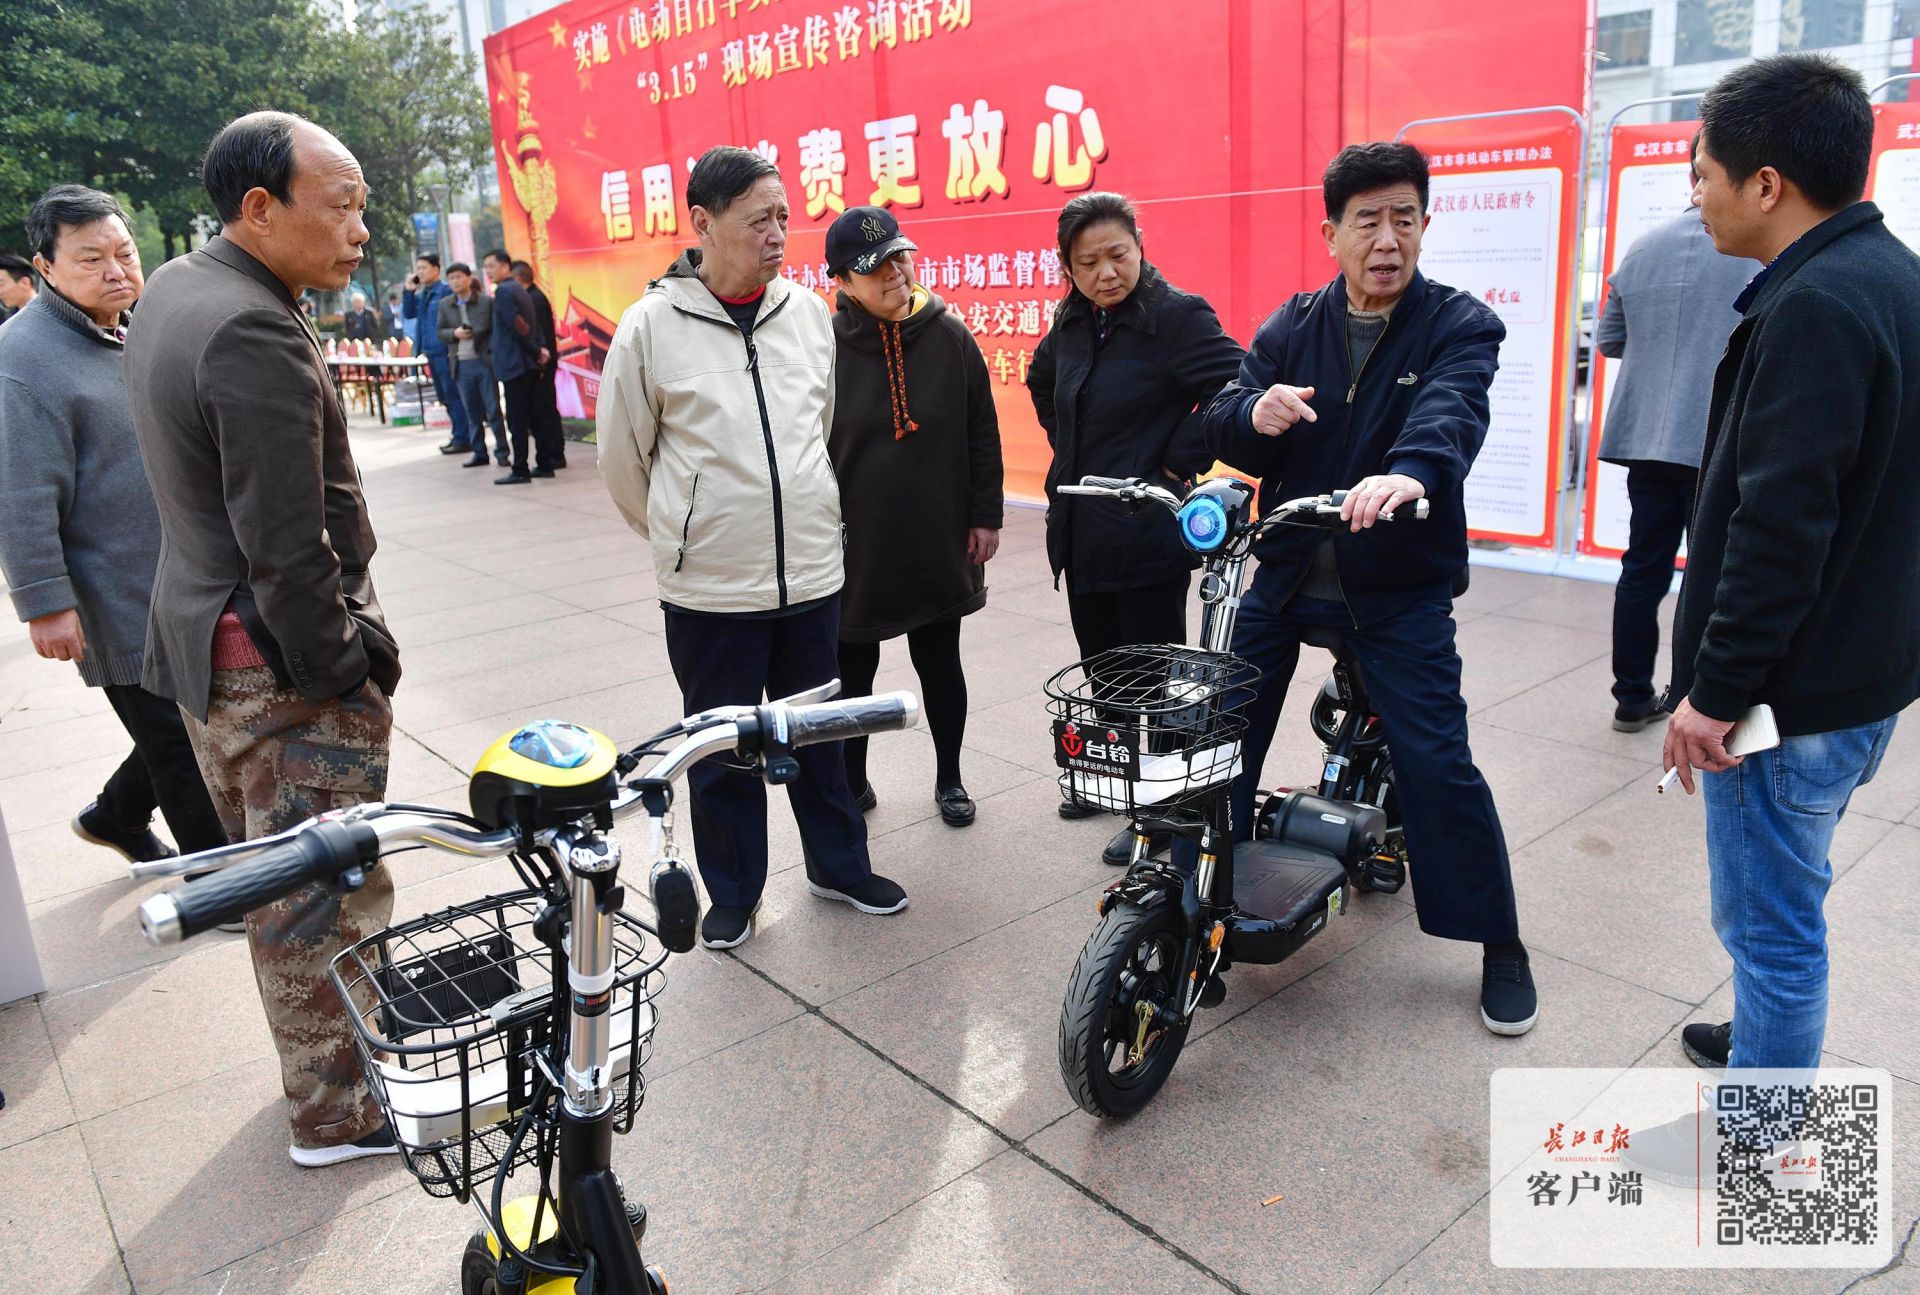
(1804, 581)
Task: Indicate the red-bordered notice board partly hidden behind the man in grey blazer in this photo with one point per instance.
(1646, 185)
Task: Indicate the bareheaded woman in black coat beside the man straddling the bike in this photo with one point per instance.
(1122, 385)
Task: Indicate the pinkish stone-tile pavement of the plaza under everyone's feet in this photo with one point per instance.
(873, 1104)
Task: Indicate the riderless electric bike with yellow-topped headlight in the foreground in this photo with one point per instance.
(512, 1031)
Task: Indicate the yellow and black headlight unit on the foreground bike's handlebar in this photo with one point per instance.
(544, 775)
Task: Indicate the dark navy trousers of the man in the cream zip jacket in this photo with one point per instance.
(742, 662)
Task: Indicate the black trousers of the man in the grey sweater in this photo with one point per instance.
(160, 773)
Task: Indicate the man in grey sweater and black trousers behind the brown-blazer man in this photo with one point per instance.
(80, 535)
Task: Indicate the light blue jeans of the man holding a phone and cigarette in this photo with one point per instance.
(1771, 821)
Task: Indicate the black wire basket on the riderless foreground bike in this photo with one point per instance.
(456, 1019)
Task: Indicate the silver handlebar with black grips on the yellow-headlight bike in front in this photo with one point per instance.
(324, 850)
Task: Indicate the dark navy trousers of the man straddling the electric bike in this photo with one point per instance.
(1408, 664)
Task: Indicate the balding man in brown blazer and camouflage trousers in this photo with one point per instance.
(264, 622)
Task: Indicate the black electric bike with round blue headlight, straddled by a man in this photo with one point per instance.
(1153, 733)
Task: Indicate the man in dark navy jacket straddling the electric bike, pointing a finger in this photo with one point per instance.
(1380, 385)
